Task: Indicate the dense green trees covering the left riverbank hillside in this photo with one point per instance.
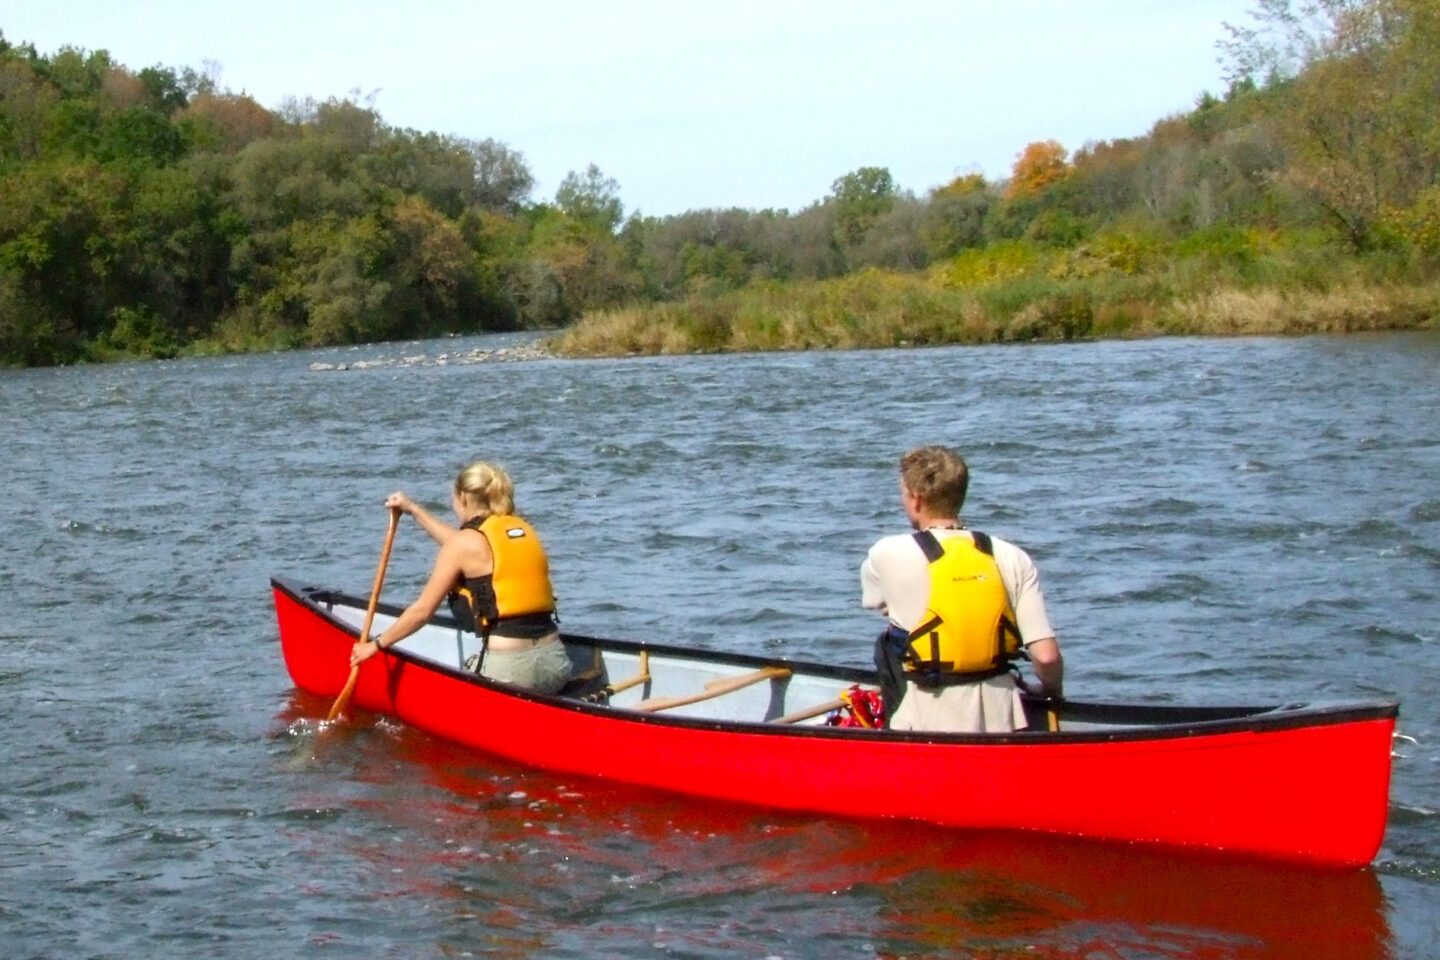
(148, 214)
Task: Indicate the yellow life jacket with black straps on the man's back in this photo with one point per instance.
(968, 630)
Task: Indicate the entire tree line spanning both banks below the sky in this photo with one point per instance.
(150, 214)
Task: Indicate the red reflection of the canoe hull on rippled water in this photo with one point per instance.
(539, 860)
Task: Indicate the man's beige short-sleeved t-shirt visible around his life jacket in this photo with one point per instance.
(896, 576)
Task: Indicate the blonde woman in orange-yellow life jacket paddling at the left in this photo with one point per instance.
(498, 579)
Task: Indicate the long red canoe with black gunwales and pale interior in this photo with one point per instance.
(1298, 782)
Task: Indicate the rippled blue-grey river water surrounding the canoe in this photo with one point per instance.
(1215, 522)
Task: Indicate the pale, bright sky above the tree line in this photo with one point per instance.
(695, 104)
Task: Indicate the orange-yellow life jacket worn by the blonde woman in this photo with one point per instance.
(518, 592)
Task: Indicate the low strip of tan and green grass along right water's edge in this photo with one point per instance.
(876, 310)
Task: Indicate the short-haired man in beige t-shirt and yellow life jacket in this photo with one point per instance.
(961, 605)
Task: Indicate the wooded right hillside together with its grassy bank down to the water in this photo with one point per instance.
(1302, 199)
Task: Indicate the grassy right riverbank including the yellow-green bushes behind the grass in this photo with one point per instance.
(1014, 293)
